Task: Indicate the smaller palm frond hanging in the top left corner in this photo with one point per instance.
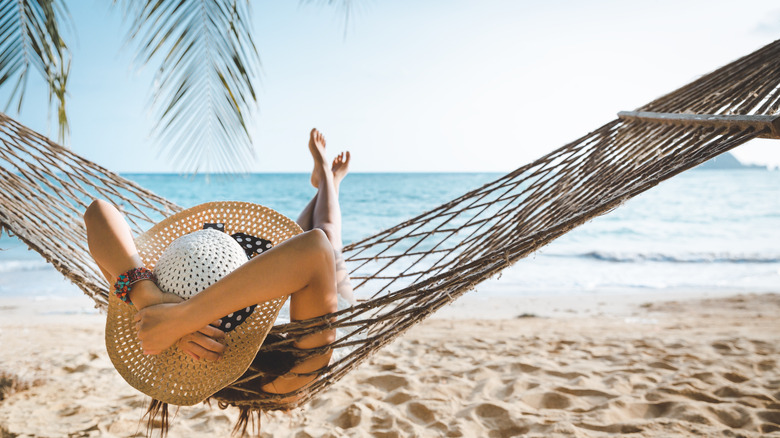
(30, 39)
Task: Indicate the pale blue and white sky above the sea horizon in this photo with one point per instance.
(411, 86)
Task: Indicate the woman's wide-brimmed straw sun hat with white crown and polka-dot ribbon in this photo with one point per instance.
(185, 267)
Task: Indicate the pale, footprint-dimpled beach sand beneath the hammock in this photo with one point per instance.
(703, 367)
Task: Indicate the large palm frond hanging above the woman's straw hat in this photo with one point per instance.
(203, 94)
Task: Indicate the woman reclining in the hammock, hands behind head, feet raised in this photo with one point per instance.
(303, 267)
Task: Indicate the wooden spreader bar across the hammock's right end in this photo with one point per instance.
(768, 126)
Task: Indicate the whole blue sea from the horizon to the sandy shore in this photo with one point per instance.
(703, 231)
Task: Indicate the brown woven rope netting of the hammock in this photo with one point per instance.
(409, 271)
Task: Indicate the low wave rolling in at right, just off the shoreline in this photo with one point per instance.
(618, 257)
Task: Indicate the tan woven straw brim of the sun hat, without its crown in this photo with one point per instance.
(172, 376)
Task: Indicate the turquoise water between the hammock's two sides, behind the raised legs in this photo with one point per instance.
(370, 202)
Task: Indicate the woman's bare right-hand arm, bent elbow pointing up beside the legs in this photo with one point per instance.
(302, 267)
